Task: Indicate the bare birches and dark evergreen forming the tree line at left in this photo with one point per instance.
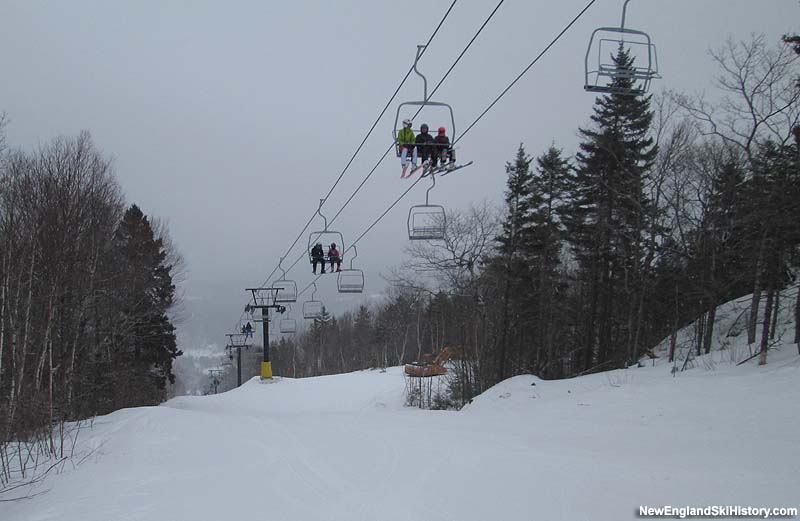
(86, 287)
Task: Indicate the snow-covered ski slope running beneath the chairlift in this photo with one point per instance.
(345, 448)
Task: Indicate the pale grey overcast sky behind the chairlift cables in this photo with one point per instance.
(231, 119)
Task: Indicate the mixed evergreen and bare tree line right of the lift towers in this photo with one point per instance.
(671, 206)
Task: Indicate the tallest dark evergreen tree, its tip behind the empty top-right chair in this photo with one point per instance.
(607, 219)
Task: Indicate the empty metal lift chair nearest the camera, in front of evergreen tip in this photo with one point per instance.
(607, 42)
